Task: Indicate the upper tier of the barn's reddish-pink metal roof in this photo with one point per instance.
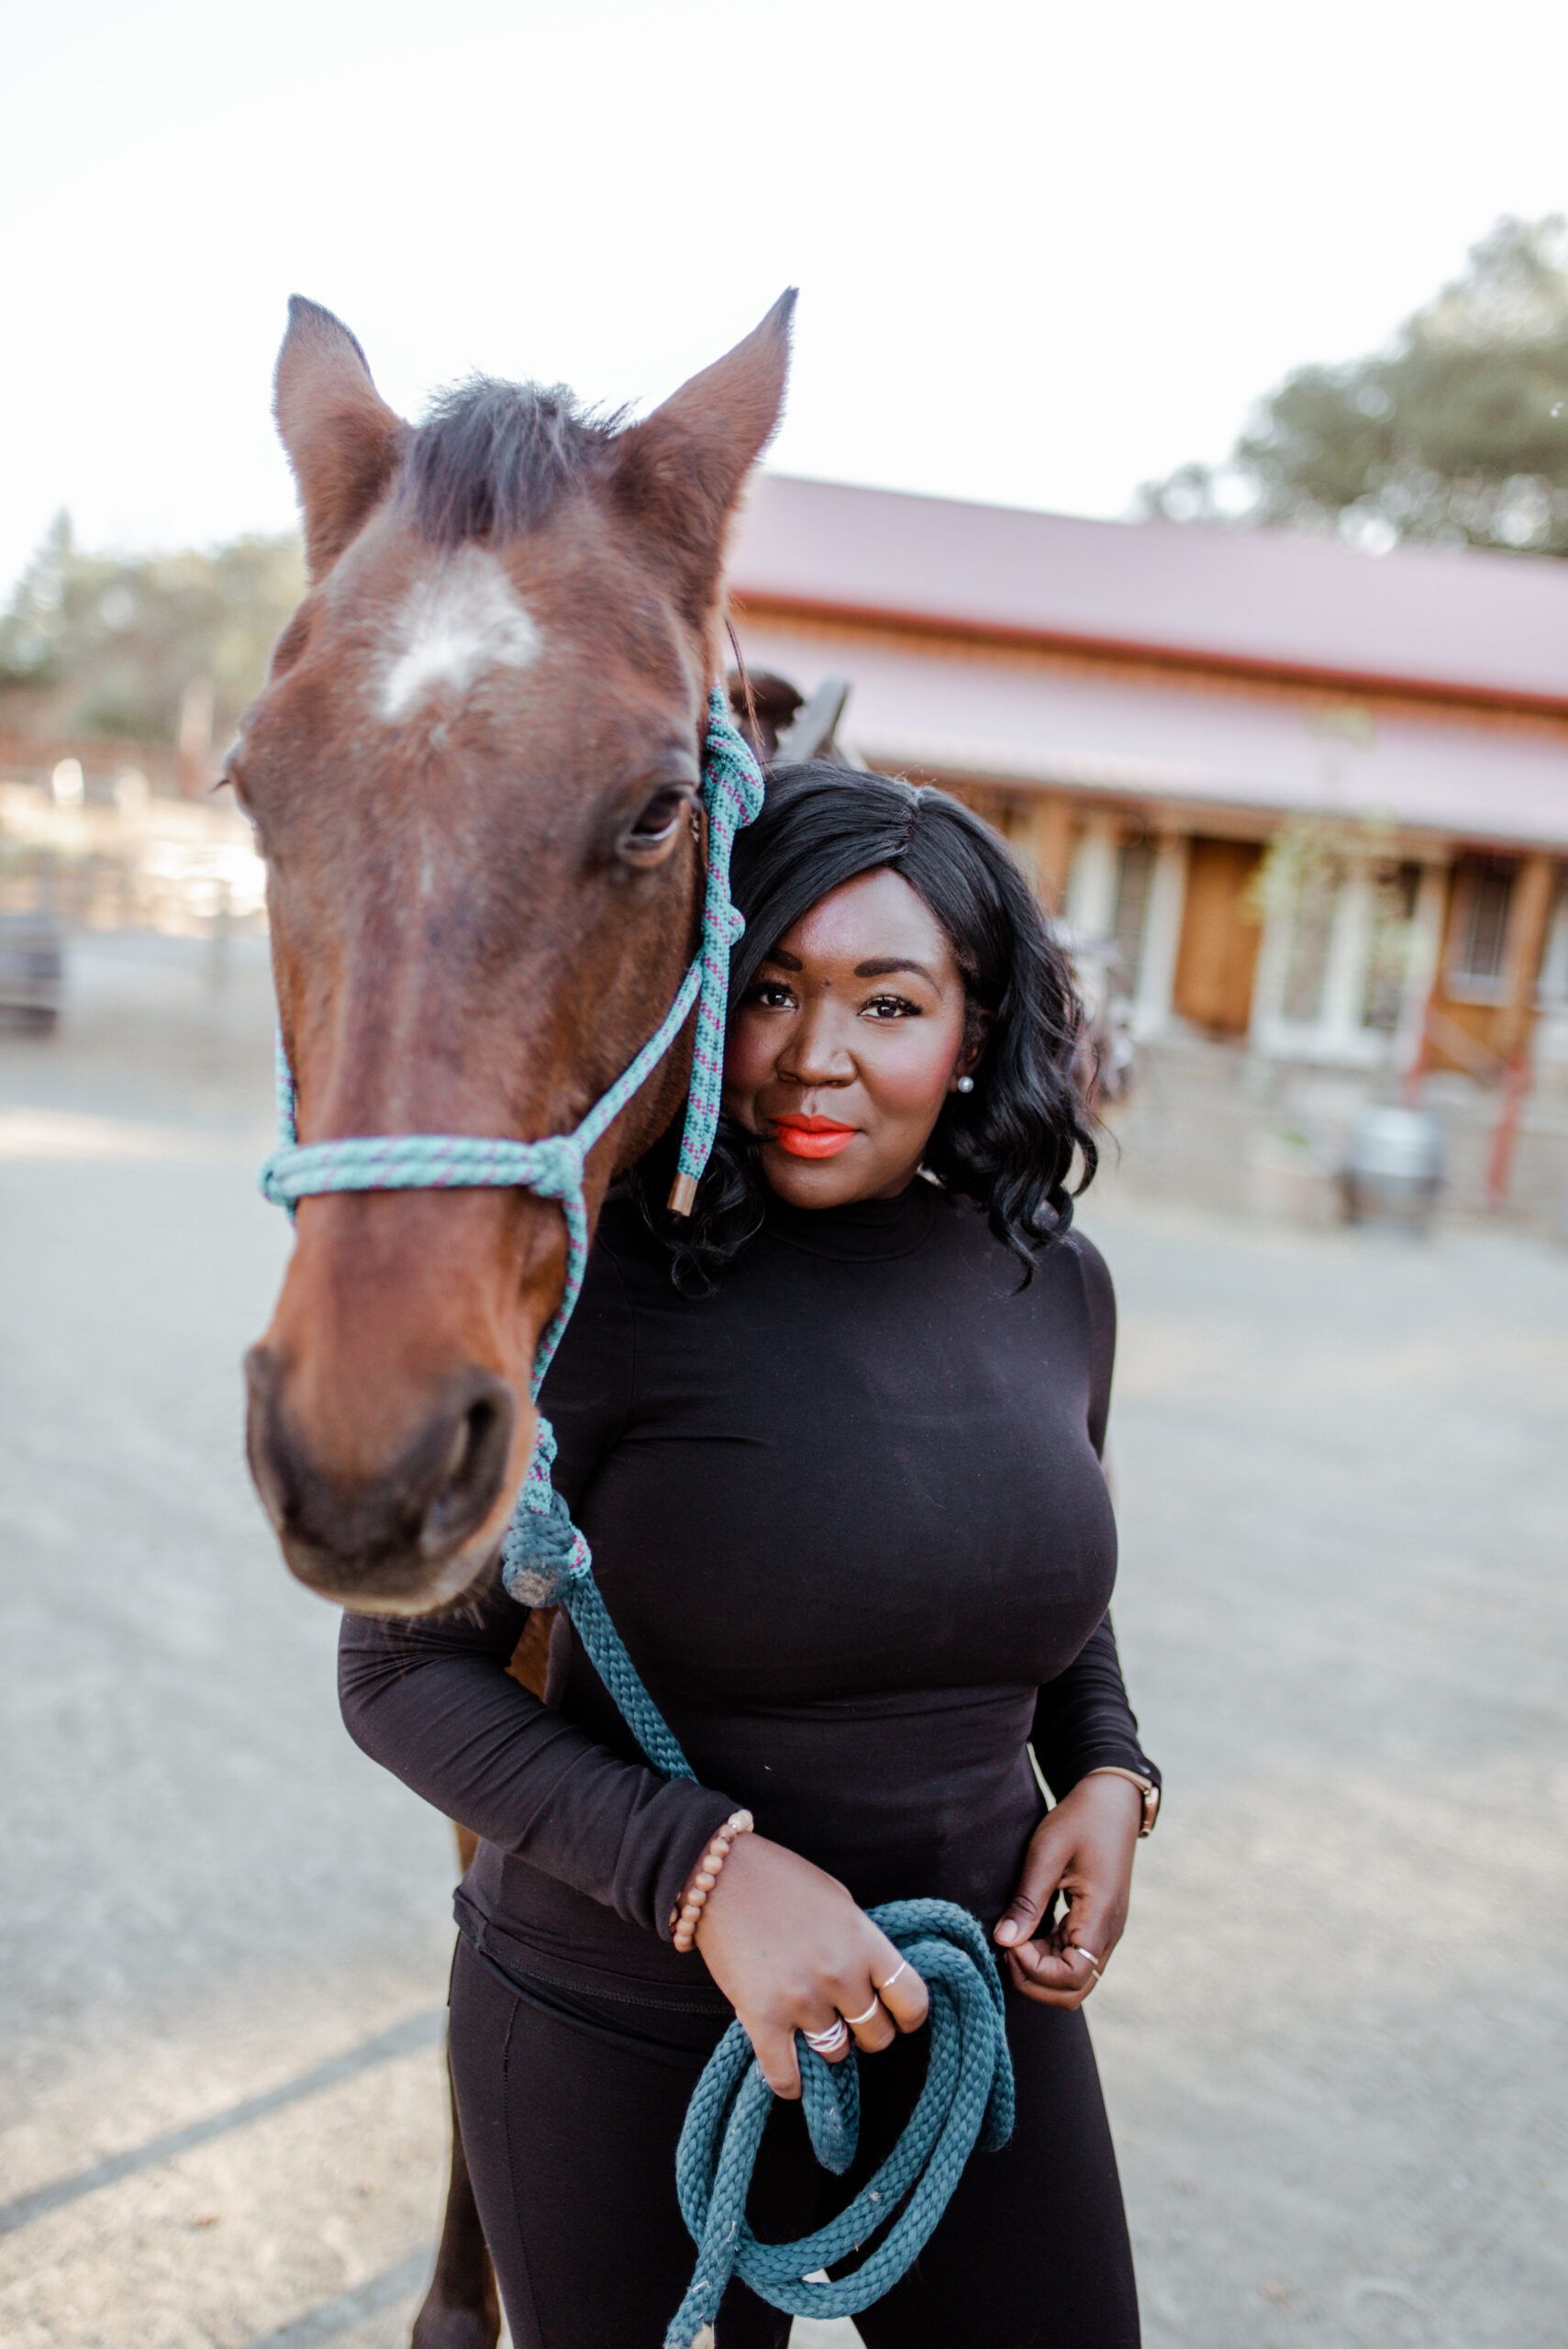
(1287, 603)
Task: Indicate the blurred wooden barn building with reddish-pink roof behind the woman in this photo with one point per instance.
(1313, 800)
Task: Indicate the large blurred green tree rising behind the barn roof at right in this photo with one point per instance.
(1454, 433)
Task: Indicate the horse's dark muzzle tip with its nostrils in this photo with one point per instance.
(391, 1537)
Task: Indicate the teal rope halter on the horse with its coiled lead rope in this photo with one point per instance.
(546, 1561)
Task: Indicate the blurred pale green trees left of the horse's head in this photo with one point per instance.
(109, 645)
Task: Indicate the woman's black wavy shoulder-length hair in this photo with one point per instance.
(1008, 1145)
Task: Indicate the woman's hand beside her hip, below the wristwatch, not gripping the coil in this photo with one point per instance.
(1086, 1852)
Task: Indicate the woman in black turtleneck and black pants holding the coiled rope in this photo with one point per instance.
(834, 1448)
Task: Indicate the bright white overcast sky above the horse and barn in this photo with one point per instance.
(1043, 253)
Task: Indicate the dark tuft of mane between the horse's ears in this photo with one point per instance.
(492, 459)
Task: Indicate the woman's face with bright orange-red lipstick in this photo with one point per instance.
(849, 1042)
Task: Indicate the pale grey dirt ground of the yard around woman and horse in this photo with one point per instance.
(1334, 2040)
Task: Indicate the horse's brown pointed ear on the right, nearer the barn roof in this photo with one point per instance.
(682, 469)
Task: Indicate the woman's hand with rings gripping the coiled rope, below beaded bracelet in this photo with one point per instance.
(792, 1951)
